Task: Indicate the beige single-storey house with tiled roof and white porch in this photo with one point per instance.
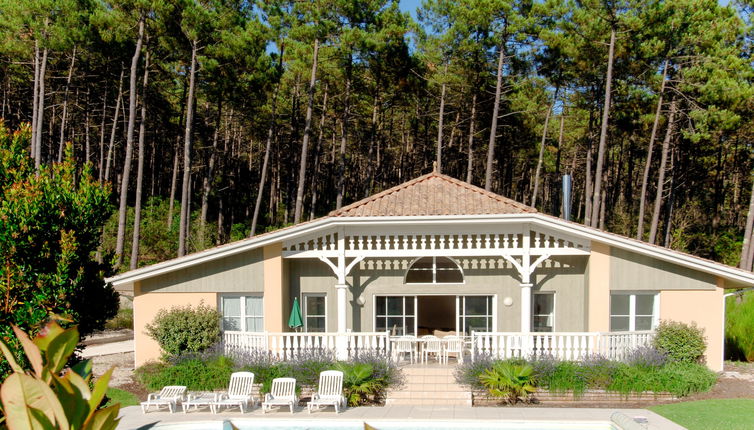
(437, 255)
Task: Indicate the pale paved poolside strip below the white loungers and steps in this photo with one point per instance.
(133, 418)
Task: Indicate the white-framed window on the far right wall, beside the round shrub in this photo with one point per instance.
(632, 312)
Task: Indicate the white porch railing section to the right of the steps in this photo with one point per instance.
(563, 345)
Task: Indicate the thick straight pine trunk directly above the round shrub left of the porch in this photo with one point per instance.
(186, 184)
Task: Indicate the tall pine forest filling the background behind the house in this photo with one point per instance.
(215, 120)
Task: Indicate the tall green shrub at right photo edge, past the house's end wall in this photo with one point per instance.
(739, 327)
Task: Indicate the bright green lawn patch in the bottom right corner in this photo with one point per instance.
(717, 414)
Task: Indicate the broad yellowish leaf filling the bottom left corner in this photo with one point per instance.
(21, 394)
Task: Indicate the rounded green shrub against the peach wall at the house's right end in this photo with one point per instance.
(680, 342)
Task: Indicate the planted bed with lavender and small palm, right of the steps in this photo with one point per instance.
(645, 374)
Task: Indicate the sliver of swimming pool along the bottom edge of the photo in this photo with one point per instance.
(251, 424)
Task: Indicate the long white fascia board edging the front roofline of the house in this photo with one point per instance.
(724, 271)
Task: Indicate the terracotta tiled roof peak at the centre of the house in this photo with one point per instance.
(433, 194)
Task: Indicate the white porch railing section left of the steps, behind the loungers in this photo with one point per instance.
(287, 346)
